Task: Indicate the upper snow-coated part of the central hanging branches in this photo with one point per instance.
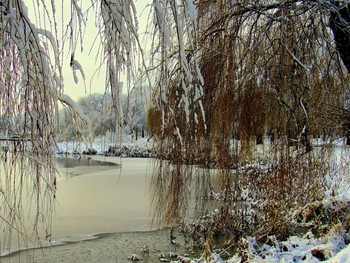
(175, 25)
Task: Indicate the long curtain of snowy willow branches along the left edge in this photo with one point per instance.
(30, 83)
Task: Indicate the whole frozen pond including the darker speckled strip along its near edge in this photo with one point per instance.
(95, 198)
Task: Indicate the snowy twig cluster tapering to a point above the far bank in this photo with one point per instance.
(118, 29)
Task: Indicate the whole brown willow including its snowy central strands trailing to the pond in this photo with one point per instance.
(269, 68)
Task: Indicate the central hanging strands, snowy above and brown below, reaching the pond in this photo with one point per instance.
(177, 102)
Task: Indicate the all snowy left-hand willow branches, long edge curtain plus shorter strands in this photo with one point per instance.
(31, 84)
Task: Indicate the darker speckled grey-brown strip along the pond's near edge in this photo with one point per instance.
(117, 247)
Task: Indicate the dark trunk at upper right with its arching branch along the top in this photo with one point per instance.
(338, 12)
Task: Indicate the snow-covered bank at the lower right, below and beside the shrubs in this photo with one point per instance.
(333, 247)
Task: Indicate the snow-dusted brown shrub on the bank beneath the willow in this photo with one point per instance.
(290, 182)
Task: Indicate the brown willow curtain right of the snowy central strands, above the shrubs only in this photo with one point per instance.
(263, 51)
